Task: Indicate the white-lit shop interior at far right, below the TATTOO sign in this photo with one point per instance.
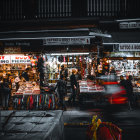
(126, 63)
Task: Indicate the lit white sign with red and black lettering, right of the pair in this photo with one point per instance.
(20, 59)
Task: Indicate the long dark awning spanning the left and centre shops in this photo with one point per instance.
(40, 34)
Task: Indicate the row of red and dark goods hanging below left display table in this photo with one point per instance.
(30, 102)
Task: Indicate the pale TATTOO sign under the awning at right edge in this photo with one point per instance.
(129, 47)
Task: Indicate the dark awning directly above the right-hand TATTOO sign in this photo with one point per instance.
(123, 37)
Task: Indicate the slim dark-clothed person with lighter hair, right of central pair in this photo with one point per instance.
(73, 82)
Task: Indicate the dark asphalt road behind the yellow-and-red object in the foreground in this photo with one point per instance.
(127, 120)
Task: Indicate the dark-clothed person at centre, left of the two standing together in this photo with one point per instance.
(61, 89)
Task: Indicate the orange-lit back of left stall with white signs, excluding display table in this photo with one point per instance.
(13, 66)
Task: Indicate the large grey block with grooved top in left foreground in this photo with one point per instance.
(36, 125)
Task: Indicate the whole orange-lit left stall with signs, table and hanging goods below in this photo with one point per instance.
(23, 75)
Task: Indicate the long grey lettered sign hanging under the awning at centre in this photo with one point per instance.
(67, 41)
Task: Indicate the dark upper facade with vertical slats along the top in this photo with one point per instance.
(50, 9)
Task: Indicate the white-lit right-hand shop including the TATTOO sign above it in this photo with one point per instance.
(125, 58)
